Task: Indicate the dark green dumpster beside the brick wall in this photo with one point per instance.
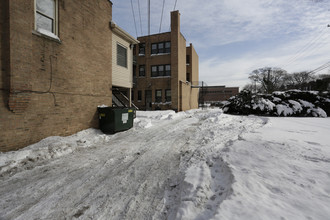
(114, 119)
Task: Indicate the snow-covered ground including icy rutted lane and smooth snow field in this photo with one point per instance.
(188, 165)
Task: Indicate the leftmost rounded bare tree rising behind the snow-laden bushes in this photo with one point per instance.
(270, 78)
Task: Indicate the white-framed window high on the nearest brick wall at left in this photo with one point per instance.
(46, 16)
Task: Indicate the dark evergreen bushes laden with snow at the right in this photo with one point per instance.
(289, 103)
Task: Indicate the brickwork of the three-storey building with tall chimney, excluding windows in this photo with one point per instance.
(183, 97)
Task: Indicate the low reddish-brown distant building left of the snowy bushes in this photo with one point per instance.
(213, 94)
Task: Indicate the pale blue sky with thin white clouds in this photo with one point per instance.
(234, 37)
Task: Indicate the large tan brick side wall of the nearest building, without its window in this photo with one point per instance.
(49, 85)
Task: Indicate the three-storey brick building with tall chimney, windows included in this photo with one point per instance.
(165, 70)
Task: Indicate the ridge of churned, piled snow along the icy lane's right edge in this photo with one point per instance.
(208, 178)
